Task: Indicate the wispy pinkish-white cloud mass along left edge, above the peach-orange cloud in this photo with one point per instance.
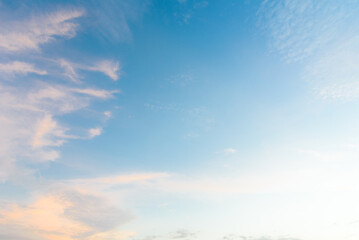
(30, 128)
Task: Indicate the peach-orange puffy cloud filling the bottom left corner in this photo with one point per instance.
(69, 215)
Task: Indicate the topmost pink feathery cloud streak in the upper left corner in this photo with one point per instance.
(30, 33)
